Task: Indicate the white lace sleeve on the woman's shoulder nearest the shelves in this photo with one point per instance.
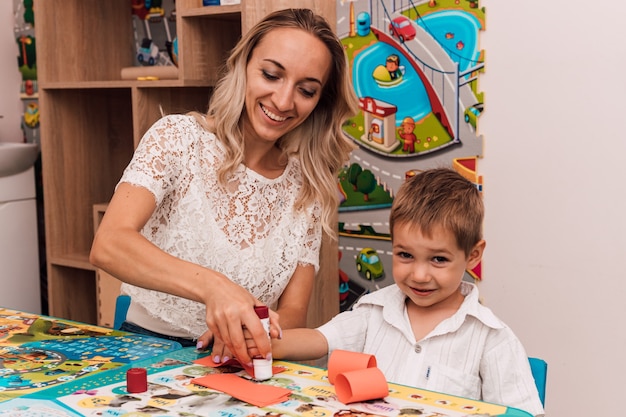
(156, 161)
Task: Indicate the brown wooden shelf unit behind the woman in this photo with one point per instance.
(92, 120)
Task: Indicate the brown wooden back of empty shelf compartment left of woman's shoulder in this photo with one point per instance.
(86, 143)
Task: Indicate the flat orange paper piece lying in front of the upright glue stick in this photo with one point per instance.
(250, 392)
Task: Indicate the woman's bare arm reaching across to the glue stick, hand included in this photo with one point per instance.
(121, 250)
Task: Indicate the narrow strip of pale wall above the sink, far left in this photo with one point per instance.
(10, 78)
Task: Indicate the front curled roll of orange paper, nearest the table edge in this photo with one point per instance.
(361, 385)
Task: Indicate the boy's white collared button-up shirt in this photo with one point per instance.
(472, 354)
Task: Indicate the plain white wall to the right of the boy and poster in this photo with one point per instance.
(555, 86)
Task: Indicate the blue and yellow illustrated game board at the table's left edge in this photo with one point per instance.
(40, 352)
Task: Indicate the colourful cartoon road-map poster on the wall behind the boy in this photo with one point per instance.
(415, 69)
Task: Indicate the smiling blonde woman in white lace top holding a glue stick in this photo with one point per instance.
(217, 213)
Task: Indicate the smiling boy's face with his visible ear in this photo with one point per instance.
(429, 270)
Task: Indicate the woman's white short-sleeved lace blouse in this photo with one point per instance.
(246, 230)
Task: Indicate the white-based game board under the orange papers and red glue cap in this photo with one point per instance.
(171, 390)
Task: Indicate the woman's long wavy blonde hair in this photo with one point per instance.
(319, 142)
